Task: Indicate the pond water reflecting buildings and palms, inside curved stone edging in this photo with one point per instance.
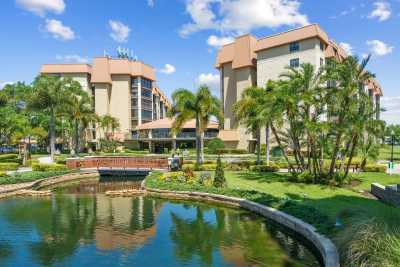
(80, 226)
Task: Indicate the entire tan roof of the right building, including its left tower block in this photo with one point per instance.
(242, 52)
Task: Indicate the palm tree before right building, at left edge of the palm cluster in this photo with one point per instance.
(249, 112)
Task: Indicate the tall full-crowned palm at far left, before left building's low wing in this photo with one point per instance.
(50, 95)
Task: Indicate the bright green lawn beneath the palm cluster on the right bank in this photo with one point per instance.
(346, 203)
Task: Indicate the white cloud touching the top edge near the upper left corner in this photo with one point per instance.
(40, 7)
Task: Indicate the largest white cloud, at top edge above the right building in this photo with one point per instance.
(239, 16)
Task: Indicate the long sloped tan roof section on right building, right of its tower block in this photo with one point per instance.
(303, 33)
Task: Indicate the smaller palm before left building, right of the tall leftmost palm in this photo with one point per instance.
(82, 115)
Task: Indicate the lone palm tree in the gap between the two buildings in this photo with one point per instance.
(201, 106)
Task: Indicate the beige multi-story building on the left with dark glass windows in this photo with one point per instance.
(120, 87)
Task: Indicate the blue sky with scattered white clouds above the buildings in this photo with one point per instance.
(180, 38)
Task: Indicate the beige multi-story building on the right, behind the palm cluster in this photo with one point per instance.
(249, 61)
